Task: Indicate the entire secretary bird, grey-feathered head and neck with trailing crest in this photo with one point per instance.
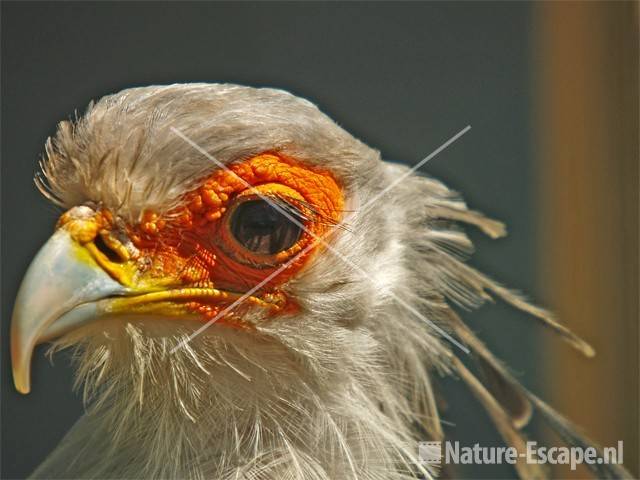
(253, 293)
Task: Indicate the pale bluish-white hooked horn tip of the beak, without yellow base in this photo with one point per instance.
(56, 295)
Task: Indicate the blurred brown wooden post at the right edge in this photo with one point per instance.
(586, 67)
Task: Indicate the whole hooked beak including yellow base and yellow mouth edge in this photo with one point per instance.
(72, 282)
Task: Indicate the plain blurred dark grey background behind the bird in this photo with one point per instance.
(402, 77)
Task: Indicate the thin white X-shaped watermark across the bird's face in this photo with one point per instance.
(317, 238)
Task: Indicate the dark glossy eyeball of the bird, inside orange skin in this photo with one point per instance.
(259, 227)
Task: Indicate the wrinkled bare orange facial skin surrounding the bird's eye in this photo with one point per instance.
(193, 247)
